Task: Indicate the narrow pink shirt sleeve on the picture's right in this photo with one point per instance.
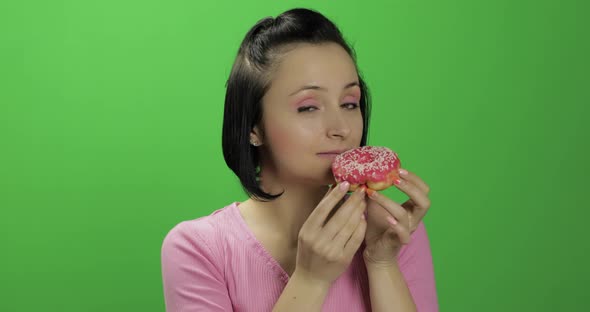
(415, 261)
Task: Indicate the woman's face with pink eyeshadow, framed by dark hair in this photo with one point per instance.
(311, 113)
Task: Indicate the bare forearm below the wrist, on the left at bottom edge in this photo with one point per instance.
(302, 294)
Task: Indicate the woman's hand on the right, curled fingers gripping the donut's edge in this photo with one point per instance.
(390, 224)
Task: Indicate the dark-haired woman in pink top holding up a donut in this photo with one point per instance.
(295, 100)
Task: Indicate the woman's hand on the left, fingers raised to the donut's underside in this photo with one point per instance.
(326, 249)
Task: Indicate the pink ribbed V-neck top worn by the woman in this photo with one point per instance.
(214, 263)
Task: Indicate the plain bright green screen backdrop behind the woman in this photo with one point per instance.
(110, 134)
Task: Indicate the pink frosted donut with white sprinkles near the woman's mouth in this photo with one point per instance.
(373, 166)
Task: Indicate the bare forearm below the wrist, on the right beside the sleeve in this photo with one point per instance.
(388, 289)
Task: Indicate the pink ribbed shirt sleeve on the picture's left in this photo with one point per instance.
(191, 278)
